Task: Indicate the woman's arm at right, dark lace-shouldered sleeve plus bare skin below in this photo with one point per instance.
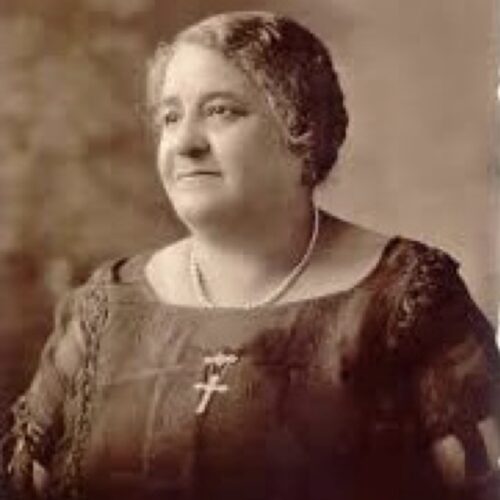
(456, 377)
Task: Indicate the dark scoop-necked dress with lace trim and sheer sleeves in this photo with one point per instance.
(332, 398)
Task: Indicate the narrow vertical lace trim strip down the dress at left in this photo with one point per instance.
(93, 315)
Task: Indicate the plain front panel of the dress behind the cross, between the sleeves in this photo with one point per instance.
(286, 409)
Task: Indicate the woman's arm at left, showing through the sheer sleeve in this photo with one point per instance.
(36, 417)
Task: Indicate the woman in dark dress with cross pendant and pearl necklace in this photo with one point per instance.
(277, 352)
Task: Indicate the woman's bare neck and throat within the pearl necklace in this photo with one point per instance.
(244, 264)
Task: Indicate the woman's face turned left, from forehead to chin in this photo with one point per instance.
(222, 154)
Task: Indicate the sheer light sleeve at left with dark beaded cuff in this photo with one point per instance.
(37, 422)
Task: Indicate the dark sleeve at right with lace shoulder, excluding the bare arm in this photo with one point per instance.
(440, 332)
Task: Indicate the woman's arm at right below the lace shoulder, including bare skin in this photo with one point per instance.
(458, 389)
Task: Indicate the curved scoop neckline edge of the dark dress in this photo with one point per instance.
(392, 243)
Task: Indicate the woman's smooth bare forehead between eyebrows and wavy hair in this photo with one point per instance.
(196, 70)
